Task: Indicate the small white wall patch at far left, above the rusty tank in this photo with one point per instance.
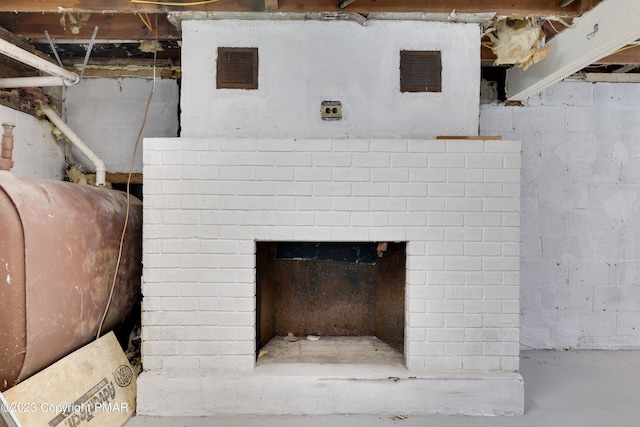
(35, 151)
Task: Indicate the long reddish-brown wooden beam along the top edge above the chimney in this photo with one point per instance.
(503, 7)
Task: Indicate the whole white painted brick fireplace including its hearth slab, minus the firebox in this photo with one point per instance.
(208, 201)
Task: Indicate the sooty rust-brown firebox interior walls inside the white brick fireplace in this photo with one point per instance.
(354, 289)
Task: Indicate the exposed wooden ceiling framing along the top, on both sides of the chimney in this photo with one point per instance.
(124, 24)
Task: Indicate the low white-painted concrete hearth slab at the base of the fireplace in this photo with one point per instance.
(316, 389)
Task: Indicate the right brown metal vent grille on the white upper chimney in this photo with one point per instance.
(420, 71)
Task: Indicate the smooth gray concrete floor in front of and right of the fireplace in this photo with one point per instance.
(562, 388)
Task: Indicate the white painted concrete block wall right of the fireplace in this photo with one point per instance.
(580, 208)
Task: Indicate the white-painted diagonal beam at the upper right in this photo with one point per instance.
(604, 29)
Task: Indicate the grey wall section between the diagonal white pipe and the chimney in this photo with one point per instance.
(108, 113)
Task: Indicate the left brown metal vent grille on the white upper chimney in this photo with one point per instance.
(237, 68)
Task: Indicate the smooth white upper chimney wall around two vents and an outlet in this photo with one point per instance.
(302, 63)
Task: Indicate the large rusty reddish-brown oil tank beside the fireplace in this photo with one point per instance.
(58, 252)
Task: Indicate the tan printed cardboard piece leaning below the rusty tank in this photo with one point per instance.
(94, 384)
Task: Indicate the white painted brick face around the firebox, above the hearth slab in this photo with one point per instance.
(200, 233)
